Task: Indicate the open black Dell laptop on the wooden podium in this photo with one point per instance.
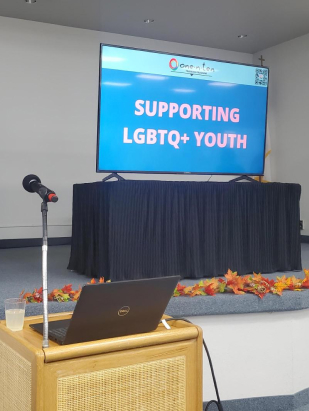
(110, 310)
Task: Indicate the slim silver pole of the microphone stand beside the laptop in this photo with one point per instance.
(44, 210)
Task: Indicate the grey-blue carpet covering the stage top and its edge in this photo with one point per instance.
(20, 268)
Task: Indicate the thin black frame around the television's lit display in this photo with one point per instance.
(174, 172)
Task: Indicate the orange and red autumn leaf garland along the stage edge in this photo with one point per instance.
(233, 283)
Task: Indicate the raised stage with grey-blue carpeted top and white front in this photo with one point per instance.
(258, 346)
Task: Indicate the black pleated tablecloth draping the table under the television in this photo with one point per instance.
(140, 229)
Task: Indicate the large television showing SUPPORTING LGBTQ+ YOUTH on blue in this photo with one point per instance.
(167, 113)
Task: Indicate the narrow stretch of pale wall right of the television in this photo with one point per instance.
(288, 117)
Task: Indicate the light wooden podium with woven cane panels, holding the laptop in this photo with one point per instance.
(160, 370)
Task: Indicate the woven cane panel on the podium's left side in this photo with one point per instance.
(15, 381)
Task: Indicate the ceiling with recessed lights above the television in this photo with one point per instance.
(209, 23)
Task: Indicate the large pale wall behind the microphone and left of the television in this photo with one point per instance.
(48, 127)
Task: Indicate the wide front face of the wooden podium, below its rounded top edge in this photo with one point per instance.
(148, 379)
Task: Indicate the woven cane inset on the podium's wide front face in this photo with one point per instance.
(152, 386)
